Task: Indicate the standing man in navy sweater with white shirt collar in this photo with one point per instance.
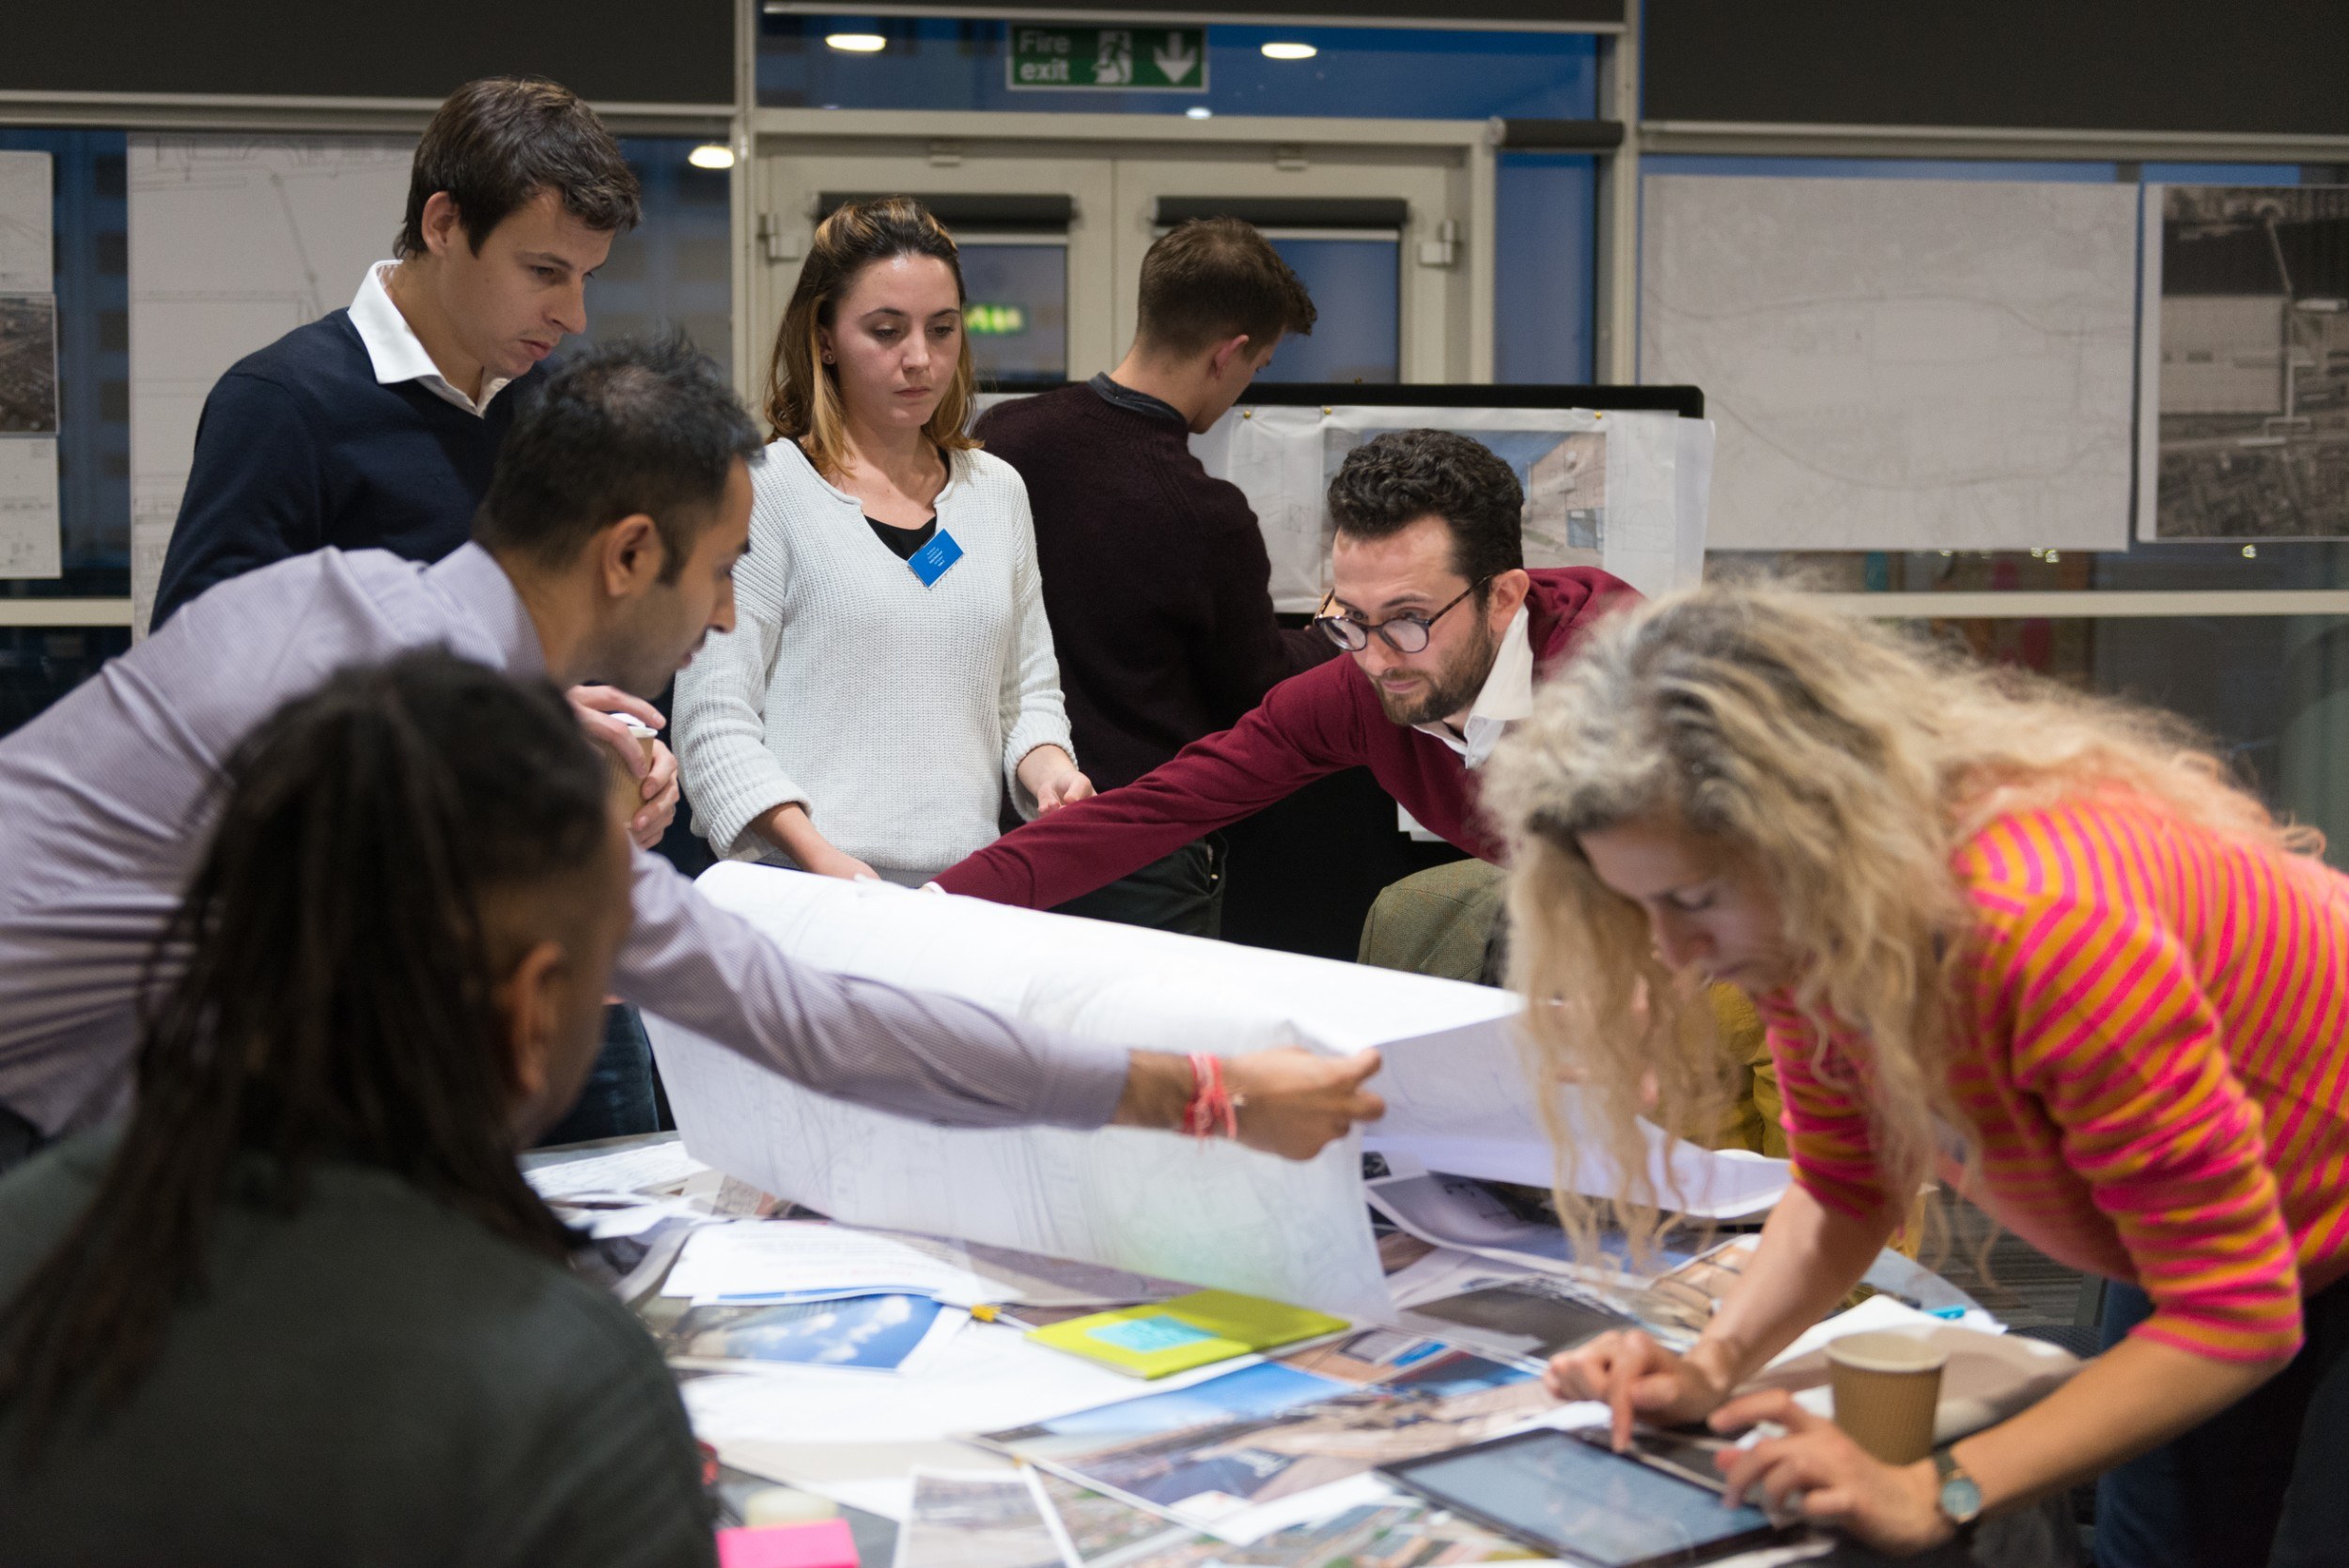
(377, 428)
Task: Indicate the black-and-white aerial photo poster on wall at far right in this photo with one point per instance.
(2244, 363)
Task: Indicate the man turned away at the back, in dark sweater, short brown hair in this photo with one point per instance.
(1155, 576)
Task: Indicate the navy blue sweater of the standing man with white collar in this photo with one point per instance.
(302, 447)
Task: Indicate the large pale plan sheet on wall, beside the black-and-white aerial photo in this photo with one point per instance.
(1904, 363)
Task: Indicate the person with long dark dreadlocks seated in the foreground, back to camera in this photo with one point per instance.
(302, 1309)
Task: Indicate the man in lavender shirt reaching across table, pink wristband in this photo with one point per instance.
(605, 553)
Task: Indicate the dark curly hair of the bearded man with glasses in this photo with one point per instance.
(1394, 480)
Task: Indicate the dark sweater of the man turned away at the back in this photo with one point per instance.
(1155, 581)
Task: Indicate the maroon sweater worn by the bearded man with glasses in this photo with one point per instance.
(1307, 729)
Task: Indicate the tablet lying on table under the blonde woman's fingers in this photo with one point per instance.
(1582, 1503)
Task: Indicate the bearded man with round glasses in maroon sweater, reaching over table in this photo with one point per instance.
(1448, 633)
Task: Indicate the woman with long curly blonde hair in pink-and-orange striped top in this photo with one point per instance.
(2000, 931)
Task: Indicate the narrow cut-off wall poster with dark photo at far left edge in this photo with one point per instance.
(29, 515)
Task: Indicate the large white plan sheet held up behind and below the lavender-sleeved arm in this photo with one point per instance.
(1136, 1201)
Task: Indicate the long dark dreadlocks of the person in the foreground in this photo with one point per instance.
(337, 1001)
